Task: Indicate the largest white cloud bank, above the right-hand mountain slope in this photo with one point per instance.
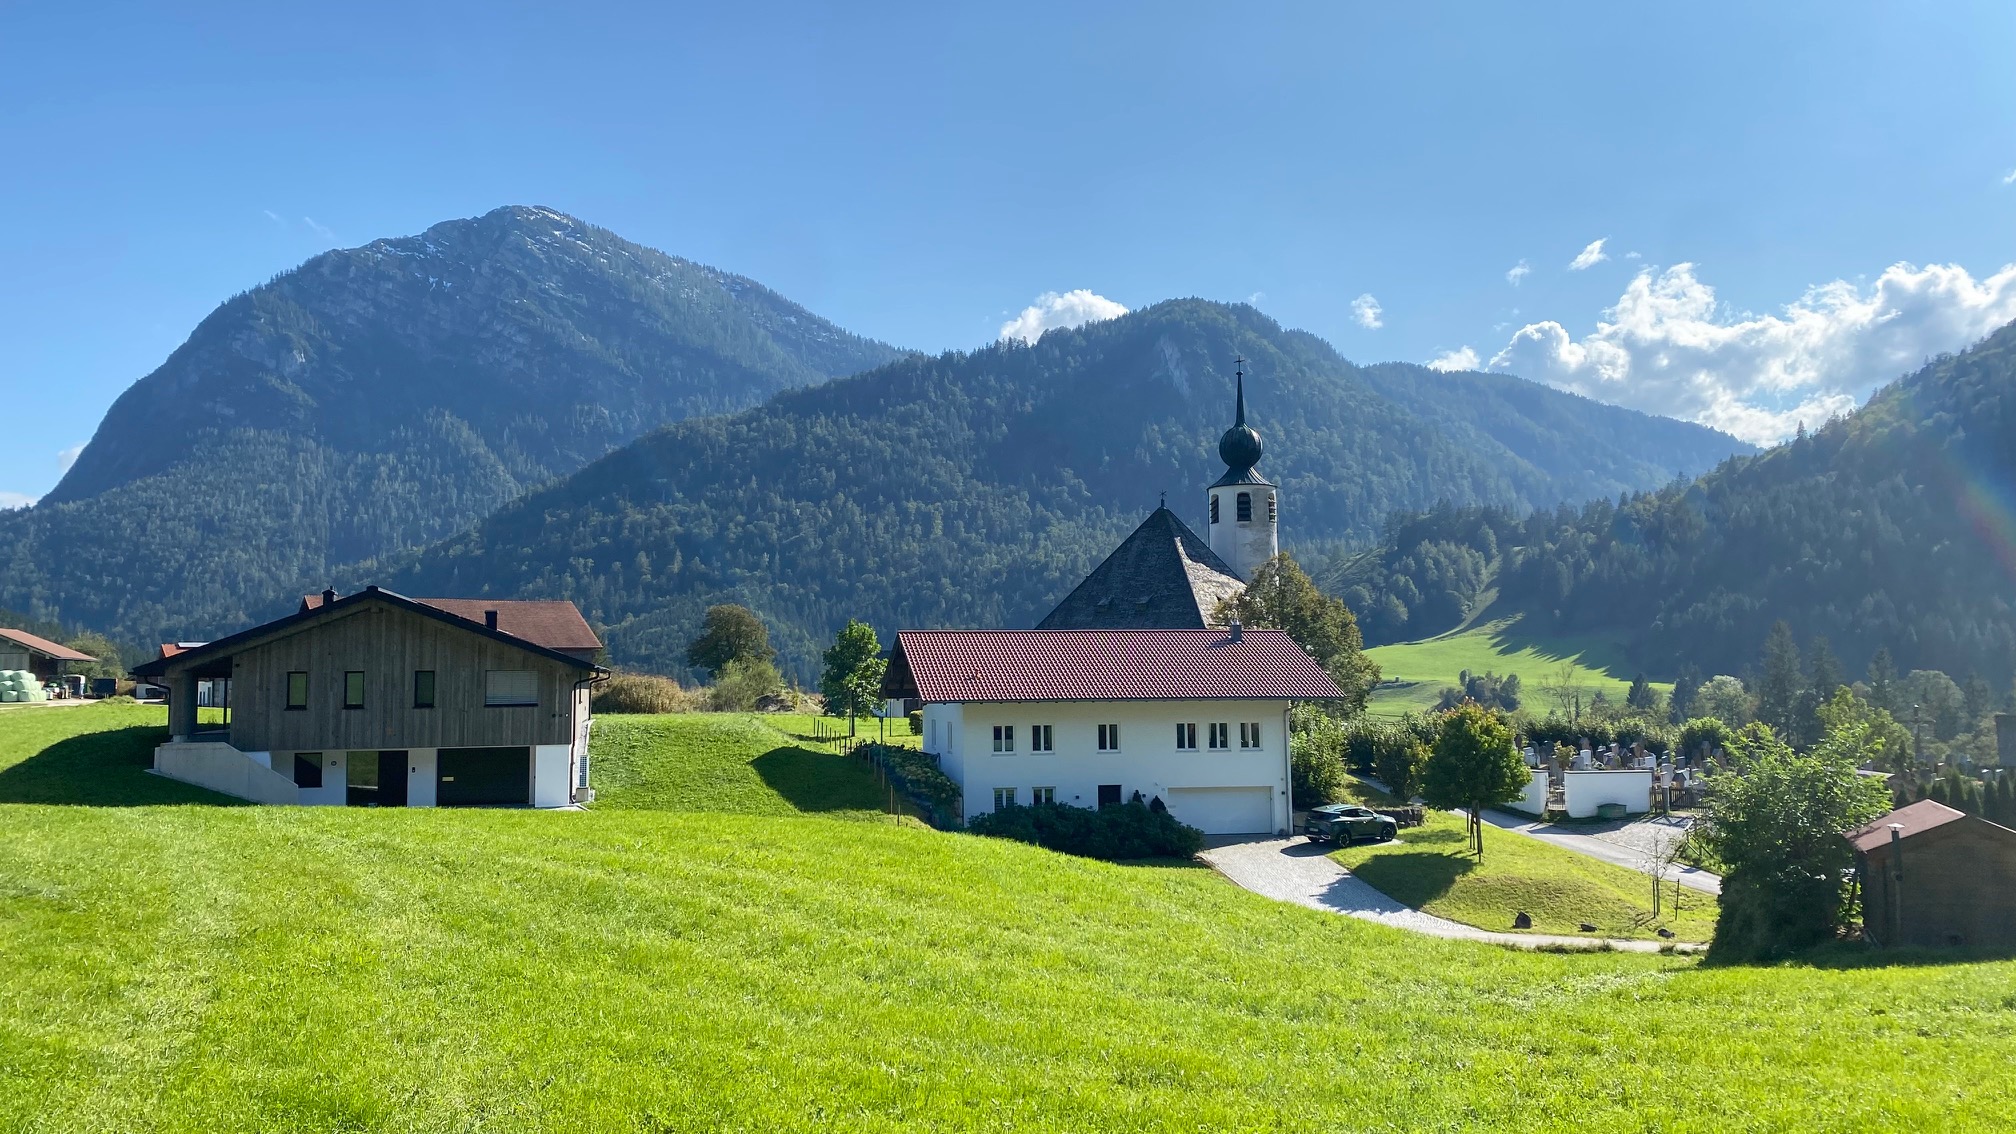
(1670, 348)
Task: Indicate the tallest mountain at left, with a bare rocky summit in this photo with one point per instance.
(388, 396)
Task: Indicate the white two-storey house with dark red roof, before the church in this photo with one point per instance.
(1092, 717)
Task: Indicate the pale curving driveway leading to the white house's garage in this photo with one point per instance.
(1297, 871)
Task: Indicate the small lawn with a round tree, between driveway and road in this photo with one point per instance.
(1430, 869)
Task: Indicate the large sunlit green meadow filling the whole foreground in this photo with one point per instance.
(195, 968)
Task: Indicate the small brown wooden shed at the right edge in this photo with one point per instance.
(1938, 877)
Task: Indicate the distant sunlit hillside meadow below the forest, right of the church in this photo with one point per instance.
(1499, 647)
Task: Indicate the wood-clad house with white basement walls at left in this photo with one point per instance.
(392, 701)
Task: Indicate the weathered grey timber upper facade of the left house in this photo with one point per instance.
(388, 645)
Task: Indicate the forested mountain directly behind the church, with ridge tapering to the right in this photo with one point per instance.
(977, 489)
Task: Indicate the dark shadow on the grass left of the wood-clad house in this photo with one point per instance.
(102, 770)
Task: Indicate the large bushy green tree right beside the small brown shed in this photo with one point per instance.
(1777, 830)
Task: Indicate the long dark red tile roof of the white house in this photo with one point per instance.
(1102, 665)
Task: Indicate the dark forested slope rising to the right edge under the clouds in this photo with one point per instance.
(1894, 528)
